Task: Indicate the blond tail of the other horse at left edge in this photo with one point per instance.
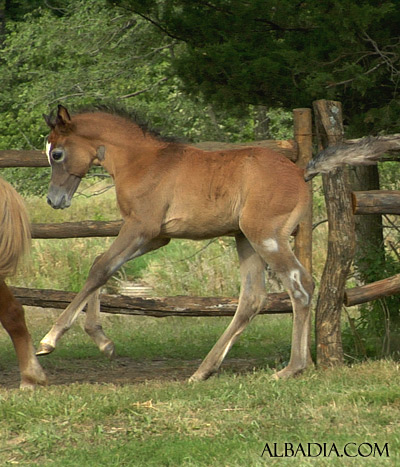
(15, 233)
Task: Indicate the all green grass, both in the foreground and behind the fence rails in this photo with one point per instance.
(225, 421)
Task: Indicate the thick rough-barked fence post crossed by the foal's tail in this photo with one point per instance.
(341, 241)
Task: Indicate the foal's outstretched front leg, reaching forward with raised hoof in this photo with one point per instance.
(130, 240)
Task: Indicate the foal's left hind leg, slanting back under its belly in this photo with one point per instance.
(252, 297)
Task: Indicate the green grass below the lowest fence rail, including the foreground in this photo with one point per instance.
(224, 421)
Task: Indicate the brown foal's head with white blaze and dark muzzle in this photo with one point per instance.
(70, 155)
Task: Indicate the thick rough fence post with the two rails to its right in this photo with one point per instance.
(341, 206)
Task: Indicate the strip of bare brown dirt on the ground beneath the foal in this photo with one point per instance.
(122, 370)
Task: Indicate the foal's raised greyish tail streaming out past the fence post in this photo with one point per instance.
(365, 151)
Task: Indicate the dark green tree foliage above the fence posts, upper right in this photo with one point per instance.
(281, 53)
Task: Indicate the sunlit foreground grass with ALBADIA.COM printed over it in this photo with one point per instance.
(224, 421)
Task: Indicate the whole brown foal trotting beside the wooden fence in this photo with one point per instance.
(171, 190)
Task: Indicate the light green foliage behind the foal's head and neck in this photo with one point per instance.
(90, 53)
